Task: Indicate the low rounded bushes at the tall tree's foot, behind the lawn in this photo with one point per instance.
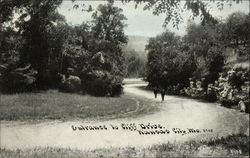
(95, 78)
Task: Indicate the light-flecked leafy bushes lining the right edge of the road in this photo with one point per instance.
(230, 89)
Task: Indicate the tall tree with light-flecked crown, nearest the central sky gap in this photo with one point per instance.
(108, 32)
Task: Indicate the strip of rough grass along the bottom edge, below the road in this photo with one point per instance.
(231, 146)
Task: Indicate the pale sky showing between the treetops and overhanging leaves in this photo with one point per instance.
(144, 23)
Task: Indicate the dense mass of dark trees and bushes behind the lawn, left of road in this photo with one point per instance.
(41, 39)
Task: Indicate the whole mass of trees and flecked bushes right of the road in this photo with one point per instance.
(192, 65)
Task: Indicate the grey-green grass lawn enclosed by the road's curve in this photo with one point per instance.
(64, 106)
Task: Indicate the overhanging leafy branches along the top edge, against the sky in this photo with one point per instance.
(171, 8)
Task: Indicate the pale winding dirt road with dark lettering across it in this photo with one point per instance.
(175, 112)
